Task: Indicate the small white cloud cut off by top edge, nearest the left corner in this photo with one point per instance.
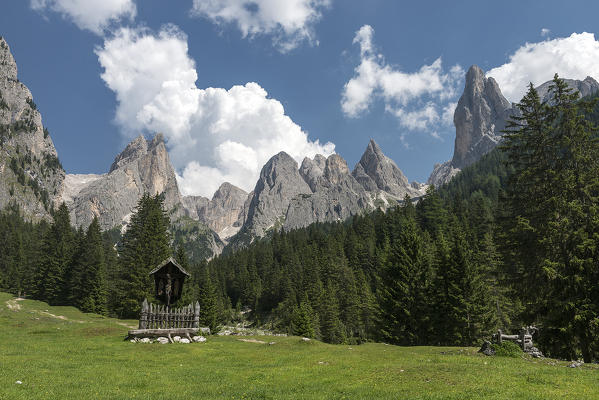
(91, 15)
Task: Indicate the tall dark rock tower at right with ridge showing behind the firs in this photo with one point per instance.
(481, 115)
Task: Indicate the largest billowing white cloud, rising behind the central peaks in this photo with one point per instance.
(214, 135)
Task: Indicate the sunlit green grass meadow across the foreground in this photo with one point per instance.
(84, 357)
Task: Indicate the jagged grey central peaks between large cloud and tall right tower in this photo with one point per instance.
(322, 190)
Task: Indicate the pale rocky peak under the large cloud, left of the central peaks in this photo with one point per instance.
(143, 166)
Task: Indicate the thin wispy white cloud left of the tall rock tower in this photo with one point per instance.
(418, 99)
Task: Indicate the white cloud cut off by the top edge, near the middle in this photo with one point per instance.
(289, 21)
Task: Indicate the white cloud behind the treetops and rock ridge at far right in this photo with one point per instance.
(573, 57)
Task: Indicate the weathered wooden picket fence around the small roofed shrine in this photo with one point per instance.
(162, 317)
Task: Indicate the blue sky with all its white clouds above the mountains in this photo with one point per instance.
(230, 83)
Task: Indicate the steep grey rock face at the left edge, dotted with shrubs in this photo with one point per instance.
(30, 172)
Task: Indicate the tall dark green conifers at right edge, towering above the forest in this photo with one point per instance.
(551, 218)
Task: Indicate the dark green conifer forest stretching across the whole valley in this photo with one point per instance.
(509, 242)
